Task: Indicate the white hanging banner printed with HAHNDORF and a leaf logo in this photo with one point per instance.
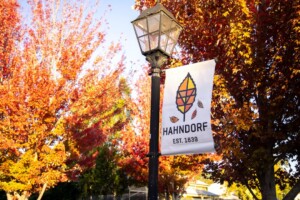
(186, 127)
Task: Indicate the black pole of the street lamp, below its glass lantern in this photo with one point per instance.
(156, 60)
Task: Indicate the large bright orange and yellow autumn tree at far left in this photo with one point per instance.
(61, 93)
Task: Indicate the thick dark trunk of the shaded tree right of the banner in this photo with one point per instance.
(267, 181)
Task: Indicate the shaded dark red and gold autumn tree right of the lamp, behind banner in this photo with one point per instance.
(255, 105)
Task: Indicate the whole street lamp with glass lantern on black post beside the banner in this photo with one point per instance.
(157, 32)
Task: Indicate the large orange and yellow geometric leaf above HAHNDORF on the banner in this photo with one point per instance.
(186, 95)
